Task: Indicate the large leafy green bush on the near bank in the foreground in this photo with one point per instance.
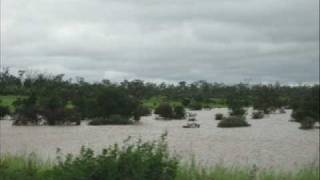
(139, 161)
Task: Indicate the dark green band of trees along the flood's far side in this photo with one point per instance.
(56, 98)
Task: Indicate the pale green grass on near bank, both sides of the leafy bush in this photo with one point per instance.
(32, 168)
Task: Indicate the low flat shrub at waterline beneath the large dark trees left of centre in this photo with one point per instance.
(111, 120)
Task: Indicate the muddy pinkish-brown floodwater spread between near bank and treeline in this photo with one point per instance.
(272, 142)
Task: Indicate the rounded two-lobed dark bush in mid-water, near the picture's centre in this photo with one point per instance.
(166, 111)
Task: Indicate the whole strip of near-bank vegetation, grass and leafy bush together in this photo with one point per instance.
(134, 161)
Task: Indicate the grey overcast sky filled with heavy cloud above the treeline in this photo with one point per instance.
(166, 40)
